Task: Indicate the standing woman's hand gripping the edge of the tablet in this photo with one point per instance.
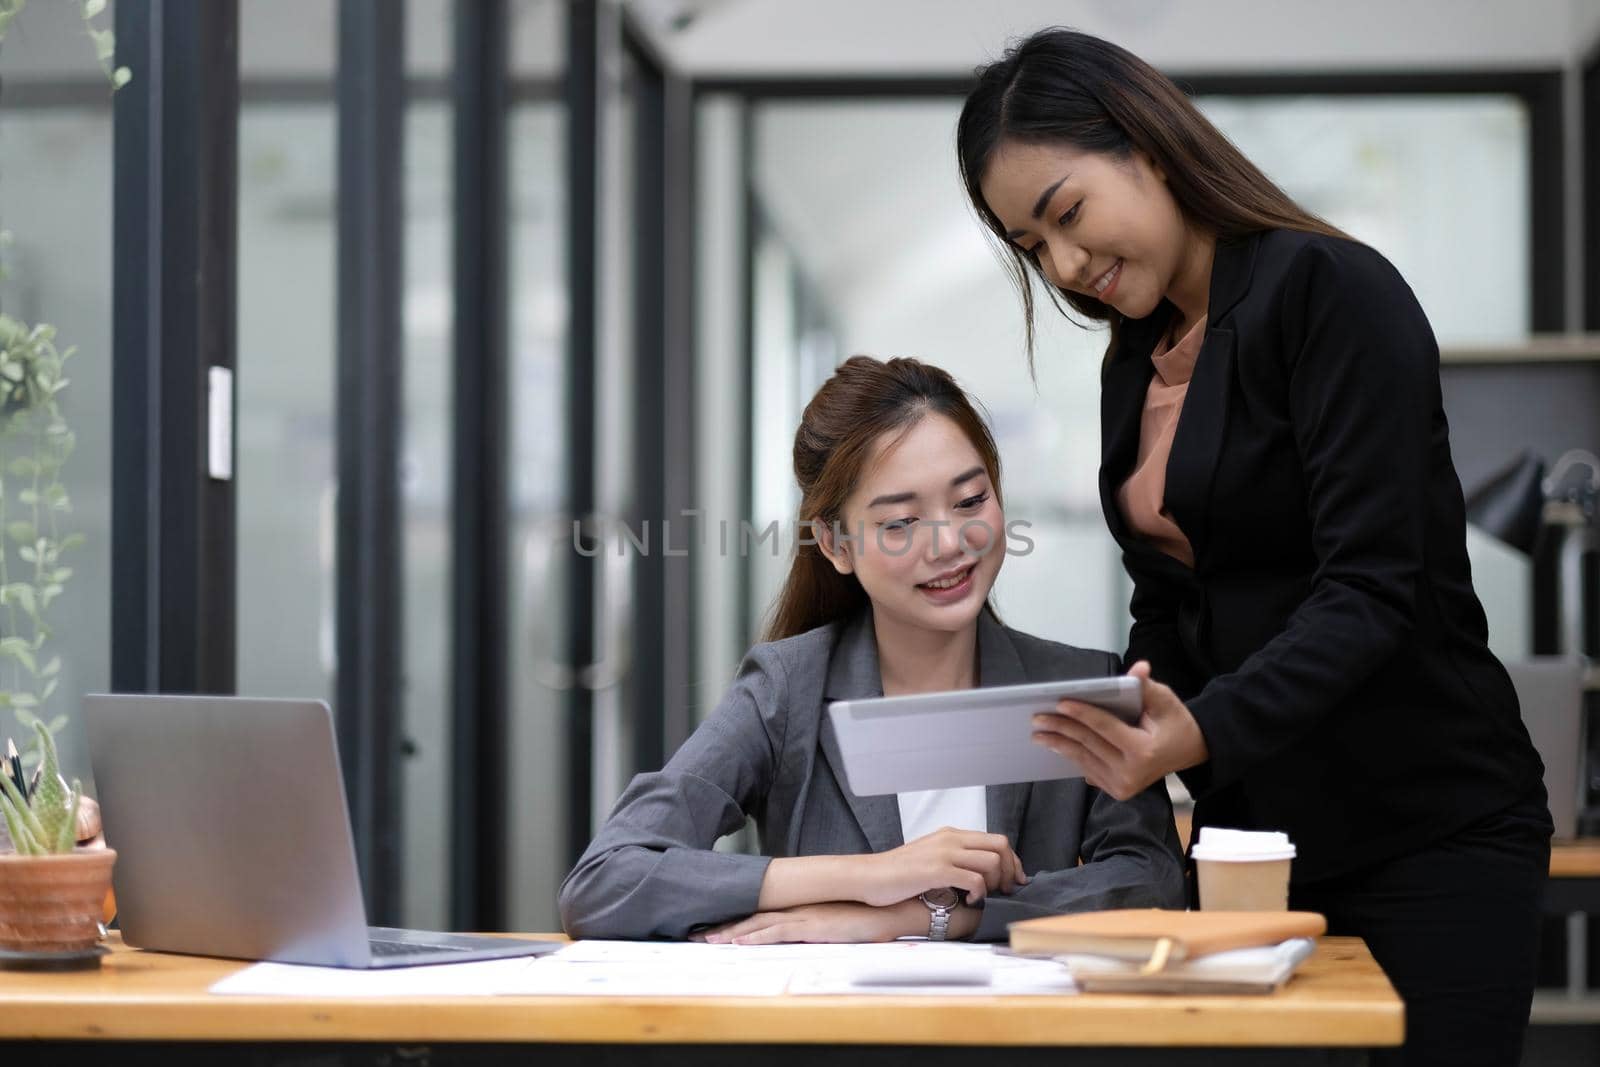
(1124, 761)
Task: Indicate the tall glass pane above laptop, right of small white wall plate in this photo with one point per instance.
(286, 399)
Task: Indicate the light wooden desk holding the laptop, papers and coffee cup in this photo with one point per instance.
(1340, 1002)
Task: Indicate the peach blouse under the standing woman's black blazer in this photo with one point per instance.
(1143, 495)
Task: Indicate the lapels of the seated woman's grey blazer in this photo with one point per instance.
(854, 674)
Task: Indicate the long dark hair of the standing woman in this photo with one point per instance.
(1062, 87)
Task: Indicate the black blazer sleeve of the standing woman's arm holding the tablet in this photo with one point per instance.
(1362, 372)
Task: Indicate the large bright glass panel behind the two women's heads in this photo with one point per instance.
(858, 214)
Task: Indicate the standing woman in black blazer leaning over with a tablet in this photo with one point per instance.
(1318, 655)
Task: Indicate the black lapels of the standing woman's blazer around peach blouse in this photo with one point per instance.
(1198, 442)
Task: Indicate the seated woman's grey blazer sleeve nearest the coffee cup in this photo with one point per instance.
(1130, 858)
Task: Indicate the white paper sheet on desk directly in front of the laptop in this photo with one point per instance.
(444, 980)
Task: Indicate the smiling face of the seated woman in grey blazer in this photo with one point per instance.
(926, 532)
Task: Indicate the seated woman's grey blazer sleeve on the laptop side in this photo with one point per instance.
(652, 871)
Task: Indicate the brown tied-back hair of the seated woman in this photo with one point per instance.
(858, 406)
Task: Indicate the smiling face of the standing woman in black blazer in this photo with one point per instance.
(1105, 228)
